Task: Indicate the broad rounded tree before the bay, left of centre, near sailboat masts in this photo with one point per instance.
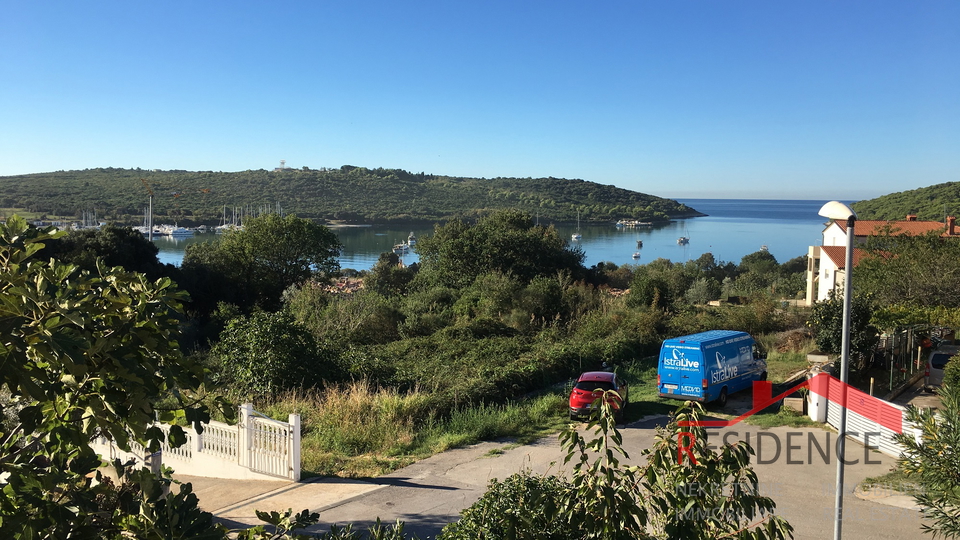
(259, 262)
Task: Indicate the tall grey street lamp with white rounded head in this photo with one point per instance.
(838, 211)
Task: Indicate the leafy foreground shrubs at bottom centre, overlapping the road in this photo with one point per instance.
(712, 494)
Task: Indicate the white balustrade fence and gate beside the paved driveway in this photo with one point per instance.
(256, 447)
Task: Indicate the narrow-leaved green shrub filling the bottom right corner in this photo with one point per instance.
(930, 459)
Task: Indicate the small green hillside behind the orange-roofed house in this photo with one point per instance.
(932, 203)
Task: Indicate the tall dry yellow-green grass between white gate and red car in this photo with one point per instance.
(355, 430)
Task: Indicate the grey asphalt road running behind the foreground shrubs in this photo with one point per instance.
(431, 493)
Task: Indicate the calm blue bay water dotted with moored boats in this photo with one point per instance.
(733, 228)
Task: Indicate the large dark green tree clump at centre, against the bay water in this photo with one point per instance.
(506, 242)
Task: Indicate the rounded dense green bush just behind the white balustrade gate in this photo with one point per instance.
(266, 353)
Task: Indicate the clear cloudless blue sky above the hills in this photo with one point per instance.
(718, 99)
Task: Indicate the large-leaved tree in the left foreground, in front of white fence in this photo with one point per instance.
(87, 354)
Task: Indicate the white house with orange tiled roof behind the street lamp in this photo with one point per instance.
(826, 263)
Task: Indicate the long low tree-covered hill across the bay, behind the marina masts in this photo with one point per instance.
(355, 194)
